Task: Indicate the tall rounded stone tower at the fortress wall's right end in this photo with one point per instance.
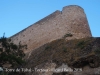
(75, 18)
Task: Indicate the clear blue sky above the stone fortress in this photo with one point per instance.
(16, 15)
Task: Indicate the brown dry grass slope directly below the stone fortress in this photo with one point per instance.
(62, 51)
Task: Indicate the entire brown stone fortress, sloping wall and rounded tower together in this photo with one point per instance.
(71, 19)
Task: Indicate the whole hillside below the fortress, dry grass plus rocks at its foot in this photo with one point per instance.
(79, 53)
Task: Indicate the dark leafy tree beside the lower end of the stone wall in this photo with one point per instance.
(11, 53)
